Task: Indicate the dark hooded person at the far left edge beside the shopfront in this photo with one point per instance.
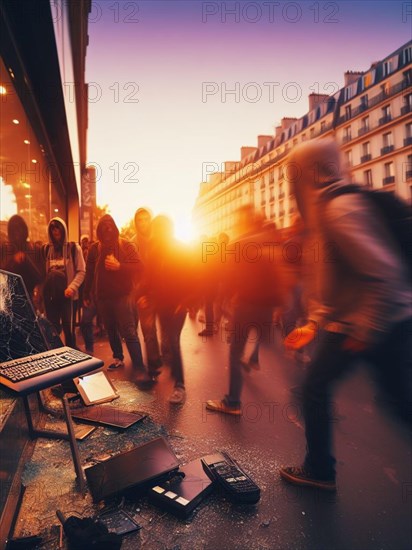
(19, 255)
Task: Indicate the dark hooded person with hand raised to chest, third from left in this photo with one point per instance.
(112, 269)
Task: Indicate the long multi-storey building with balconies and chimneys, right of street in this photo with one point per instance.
(371, 117)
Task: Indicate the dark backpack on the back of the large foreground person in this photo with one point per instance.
(395, 212)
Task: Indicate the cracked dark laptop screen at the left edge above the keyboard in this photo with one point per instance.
(20, 333)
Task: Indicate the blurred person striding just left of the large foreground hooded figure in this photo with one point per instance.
(255, 283)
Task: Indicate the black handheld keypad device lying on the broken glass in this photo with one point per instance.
(236, 483)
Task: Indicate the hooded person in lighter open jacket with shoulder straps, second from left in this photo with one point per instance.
(65, 271)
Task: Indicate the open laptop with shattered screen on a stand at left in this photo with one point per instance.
(27, 364)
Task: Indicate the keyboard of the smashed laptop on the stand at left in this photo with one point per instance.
(40, 363)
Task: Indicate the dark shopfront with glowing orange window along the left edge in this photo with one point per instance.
(43, 108)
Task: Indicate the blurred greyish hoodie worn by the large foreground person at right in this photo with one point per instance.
(360, 286)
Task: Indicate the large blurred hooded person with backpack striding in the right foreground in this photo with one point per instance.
(360, 306)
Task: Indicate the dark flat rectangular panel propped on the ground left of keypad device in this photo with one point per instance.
(135, 469)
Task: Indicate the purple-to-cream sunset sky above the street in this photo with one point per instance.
(161, 72)
